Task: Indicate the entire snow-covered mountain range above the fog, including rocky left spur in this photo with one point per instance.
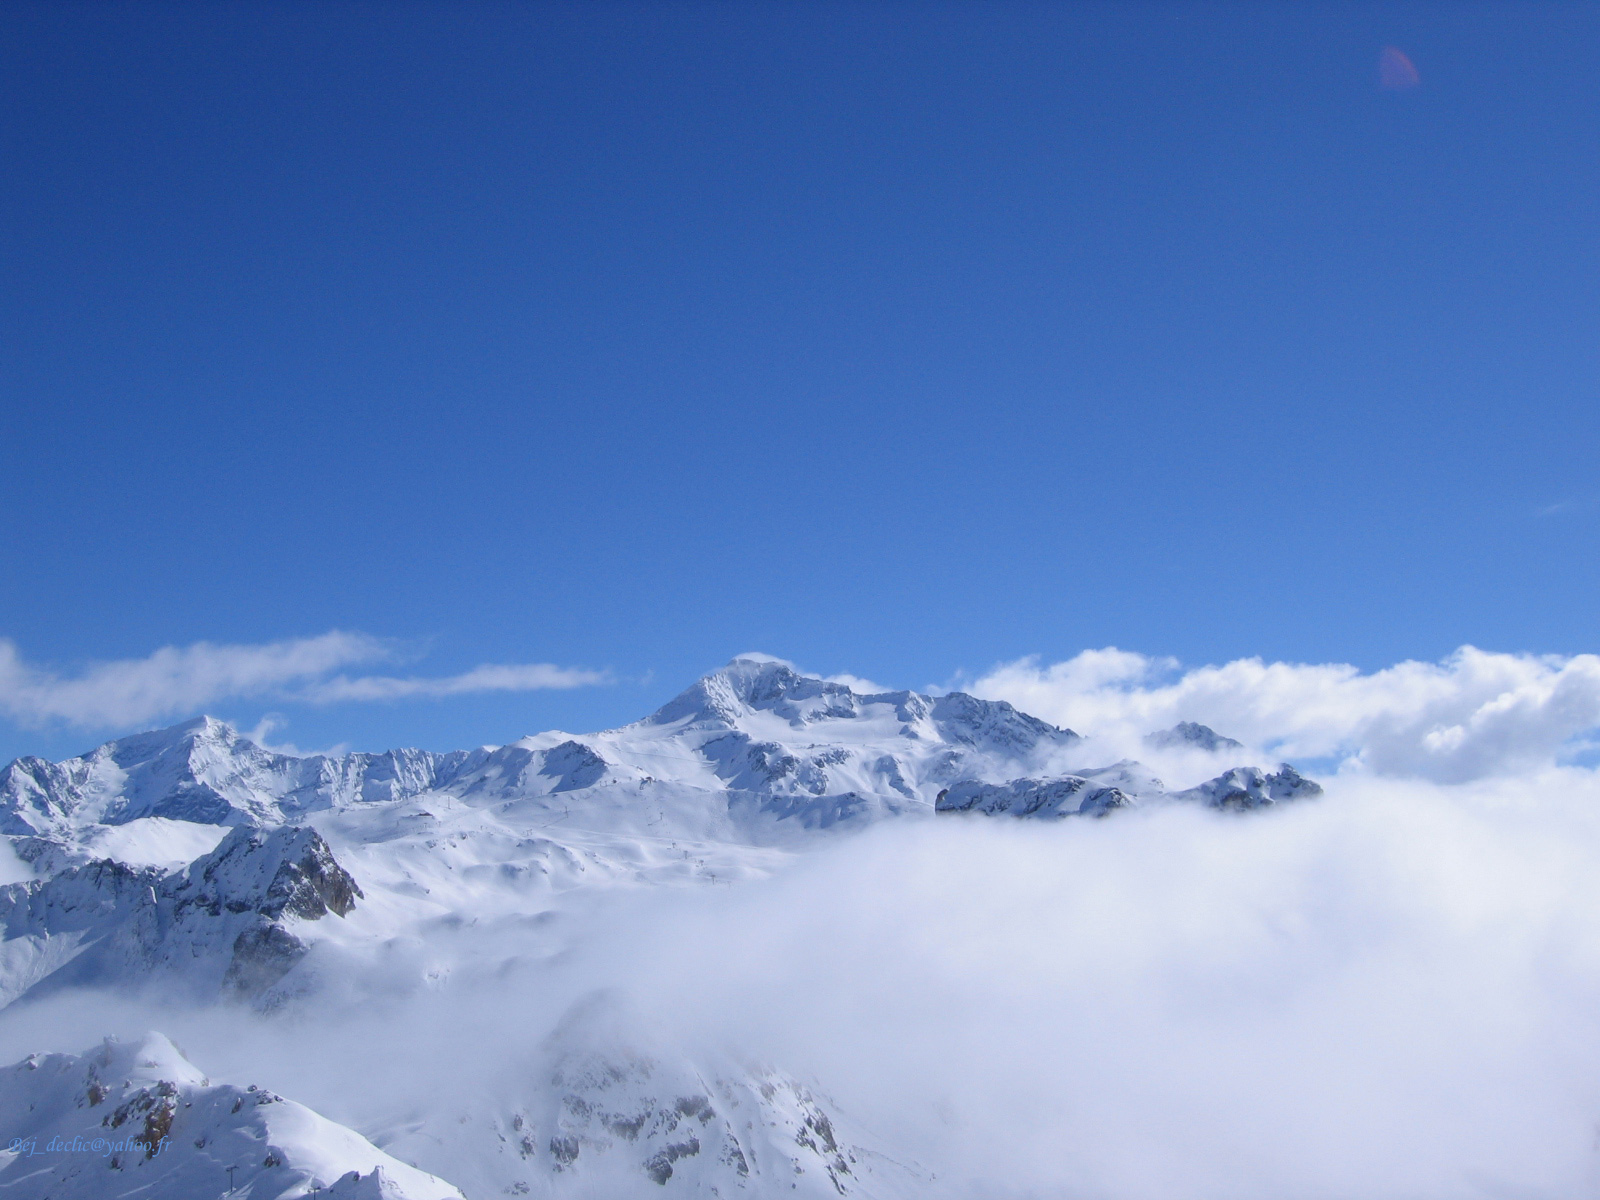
(202, 860)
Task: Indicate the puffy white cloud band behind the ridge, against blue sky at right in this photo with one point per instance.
(1473, 716)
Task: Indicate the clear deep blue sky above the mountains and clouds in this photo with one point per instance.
(897, 340)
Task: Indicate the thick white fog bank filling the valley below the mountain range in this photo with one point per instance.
(1385, 994)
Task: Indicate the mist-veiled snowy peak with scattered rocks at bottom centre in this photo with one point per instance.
(606, 1108)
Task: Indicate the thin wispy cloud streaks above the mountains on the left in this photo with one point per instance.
(178, 681)
